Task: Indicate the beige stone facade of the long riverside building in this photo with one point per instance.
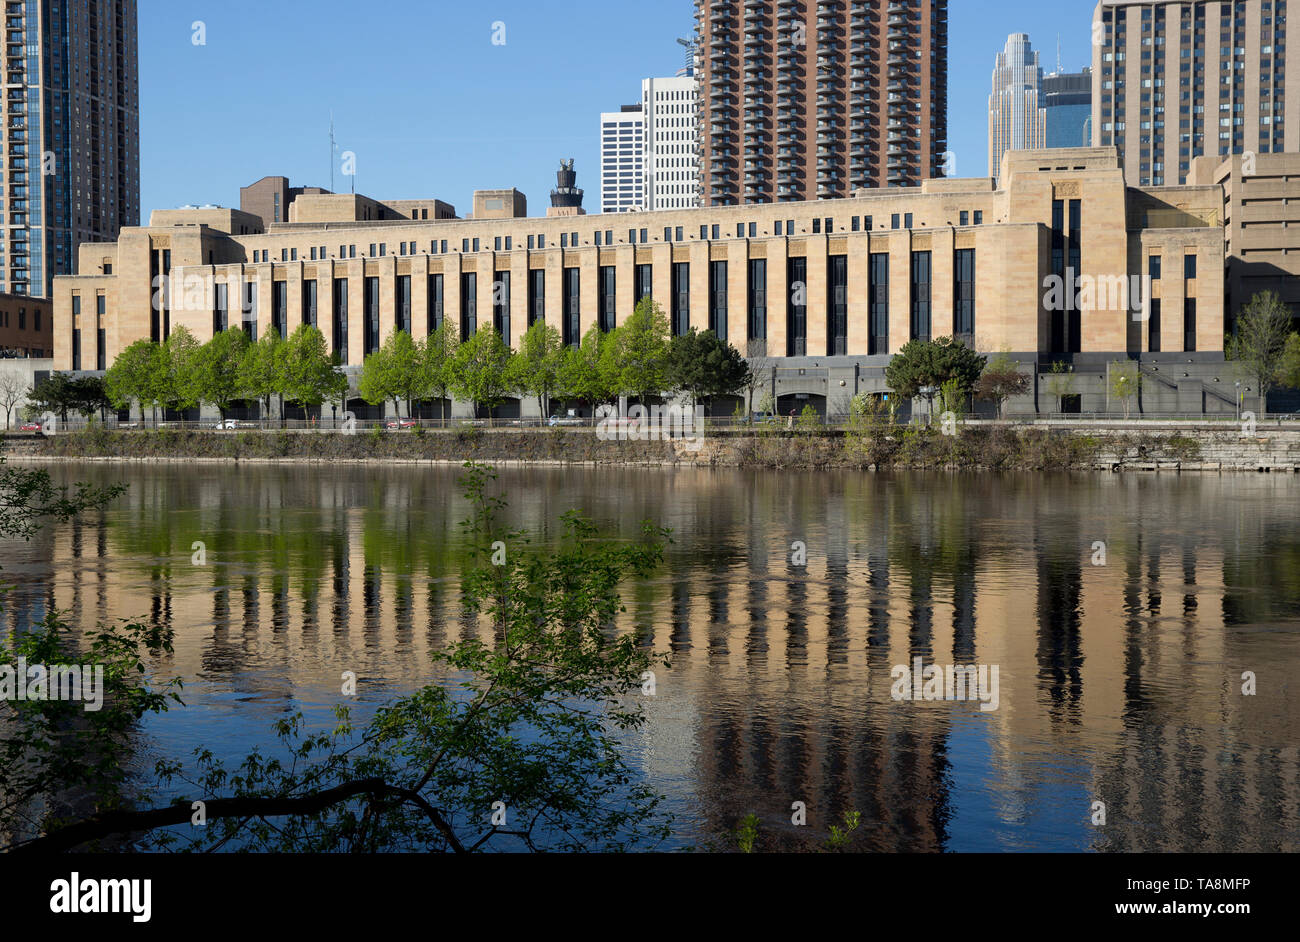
(1012, 249)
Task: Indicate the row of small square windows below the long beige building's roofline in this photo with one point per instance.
(605, 238)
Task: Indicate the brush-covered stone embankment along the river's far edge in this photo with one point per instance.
(1043, 446)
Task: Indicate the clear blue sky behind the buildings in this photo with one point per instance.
(432, 108)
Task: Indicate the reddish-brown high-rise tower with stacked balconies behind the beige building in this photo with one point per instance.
(807, 99)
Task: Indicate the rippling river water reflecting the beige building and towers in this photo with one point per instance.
(1119, 615)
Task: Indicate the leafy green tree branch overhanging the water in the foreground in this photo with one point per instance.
(515, 746)
